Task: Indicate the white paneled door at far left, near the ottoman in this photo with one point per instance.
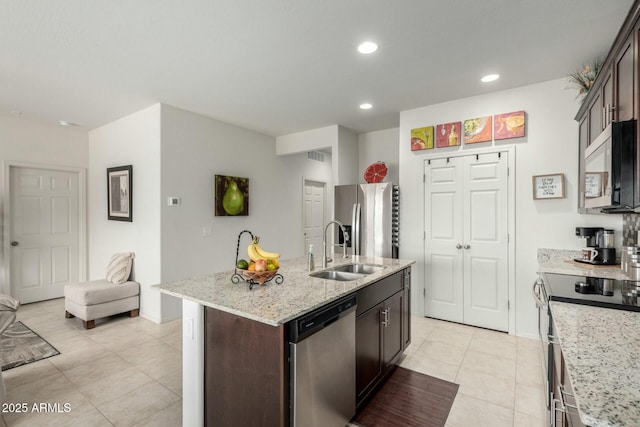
(44, 232)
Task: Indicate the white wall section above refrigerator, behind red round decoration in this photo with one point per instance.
(381, 146)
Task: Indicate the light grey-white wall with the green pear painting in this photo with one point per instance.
(194, 149)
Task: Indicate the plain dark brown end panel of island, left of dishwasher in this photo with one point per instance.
(246, 371)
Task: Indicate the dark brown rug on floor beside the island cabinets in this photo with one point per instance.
(409, 399)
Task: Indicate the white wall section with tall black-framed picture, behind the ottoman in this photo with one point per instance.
(132, 140)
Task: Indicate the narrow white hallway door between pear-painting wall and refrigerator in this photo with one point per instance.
(313, 215)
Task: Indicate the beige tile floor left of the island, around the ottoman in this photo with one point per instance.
(125, 372)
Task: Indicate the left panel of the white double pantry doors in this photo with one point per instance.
(443, 239)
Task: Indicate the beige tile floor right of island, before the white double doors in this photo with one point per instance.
(500, 375)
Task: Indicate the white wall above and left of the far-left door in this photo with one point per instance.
(26, 141)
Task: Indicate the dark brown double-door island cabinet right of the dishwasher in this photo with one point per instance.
(382, 331)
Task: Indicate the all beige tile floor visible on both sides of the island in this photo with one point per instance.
(128, 372)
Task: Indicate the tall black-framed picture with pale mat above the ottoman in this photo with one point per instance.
(119, 193)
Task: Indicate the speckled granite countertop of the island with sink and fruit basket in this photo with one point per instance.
(275, 304)
